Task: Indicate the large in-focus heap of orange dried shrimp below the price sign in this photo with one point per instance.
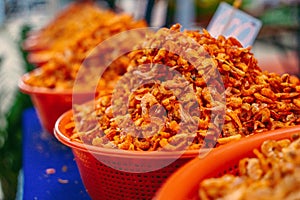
(255, 101)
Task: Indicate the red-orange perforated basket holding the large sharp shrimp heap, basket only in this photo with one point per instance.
(120, 174)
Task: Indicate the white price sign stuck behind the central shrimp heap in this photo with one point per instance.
(229, 21)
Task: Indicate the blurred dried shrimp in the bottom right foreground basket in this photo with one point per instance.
(274, 173)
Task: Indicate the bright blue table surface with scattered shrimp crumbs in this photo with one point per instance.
(42, 151)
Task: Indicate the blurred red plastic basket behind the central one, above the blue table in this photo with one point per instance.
(49, 103)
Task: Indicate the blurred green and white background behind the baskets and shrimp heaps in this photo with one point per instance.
(277, 49)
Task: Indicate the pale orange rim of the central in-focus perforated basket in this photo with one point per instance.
(59, 134)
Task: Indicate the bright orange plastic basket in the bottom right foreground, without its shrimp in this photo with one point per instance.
(184, 184)
